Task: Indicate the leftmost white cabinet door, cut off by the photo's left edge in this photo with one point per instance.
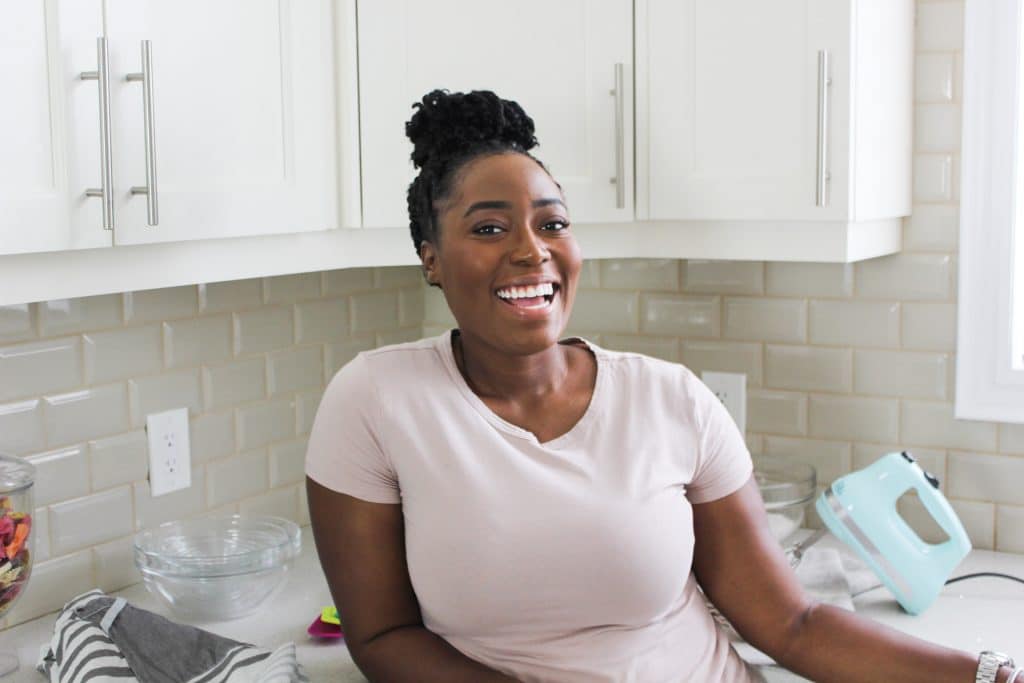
(50, 130)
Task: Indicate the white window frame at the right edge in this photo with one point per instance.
(989, 388)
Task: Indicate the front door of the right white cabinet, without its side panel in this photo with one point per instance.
(731, 106)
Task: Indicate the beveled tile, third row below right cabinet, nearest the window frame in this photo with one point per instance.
(903, 374)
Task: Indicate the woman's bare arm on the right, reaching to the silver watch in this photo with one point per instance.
(742, 568)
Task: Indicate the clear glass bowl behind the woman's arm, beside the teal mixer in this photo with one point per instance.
(787, 487)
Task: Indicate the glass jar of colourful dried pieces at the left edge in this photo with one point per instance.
(17, 479)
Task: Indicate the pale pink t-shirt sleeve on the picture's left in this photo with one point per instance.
(345, 452)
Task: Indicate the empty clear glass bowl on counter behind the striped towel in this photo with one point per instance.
(218, 569)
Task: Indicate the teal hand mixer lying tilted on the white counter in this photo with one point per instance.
(861, 510)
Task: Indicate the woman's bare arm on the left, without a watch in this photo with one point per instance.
(362, 548)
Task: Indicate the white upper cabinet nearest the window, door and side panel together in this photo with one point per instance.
(793, 115)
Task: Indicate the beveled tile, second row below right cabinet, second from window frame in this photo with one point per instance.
(855, 323)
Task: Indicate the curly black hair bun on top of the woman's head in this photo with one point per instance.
(452, 124)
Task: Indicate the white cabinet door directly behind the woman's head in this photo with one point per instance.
(559, 60)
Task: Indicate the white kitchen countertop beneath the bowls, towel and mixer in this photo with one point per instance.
(976, 615)
